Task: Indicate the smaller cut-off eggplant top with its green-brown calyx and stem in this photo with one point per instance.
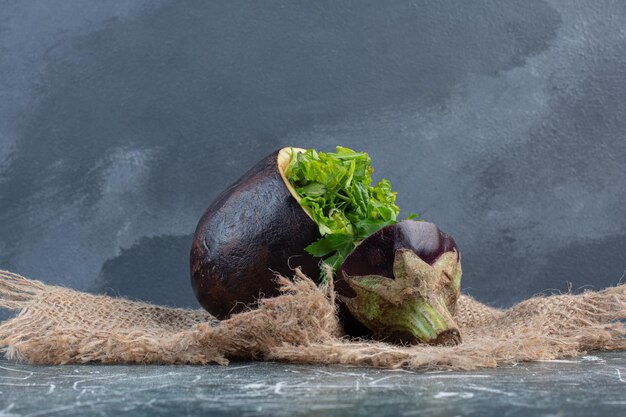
(401, 284)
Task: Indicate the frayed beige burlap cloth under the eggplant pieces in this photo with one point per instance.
(58, 326)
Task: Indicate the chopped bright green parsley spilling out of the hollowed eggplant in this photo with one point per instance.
(336, 191)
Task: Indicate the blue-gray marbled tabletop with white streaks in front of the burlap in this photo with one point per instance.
(593, 385)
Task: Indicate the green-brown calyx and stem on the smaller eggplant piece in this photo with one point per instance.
(416, 306)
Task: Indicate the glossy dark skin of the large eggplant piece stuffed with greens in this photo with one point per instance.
(251, 231)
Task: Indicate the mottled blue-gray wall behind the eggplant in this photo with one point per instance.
(502, 121)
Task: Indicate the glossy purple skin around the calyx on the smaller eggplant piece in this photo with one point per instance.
(375, 256)
